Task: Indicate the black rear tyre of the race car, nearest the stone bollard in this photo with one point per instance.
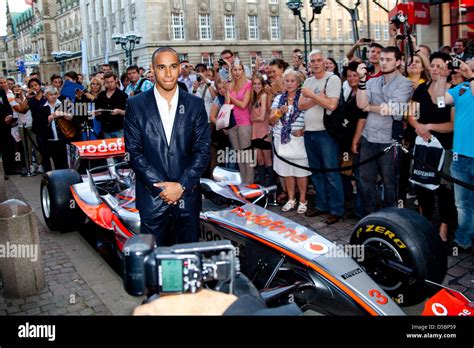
(60, 211)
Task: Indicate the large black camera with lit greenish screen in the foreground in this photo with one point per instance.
(182, 268)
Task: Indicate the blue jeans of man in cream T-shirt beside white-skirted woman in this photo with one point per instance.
(323, 152)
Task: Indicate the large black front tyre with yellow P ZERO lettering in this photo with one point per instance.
(401, 251)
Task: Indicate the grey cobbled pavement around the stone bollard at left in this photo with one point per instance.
(78, 281)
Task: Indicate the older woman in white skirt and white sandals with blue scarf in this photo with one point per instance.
(289, 127)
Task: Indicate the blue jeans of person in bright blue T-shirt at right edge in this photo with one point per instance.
(462, 169)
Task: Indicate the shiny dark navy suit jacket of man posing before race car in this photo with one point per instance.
(152, 160)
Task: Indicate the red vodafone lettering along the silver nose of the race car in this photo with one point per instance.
(276, 226)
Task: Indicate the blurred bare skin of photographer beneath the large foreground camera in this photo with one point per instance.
(204, 302)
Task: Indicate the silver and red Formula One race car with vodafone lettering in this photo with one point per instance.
(403, 257)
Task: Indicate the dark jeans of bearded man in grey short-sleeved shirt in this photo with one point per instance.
(385, 166)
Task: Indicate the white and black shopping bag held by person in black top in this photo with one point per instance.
(431, 153)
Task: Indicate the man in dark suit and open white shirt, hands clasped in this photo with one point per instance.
(168, 142)
